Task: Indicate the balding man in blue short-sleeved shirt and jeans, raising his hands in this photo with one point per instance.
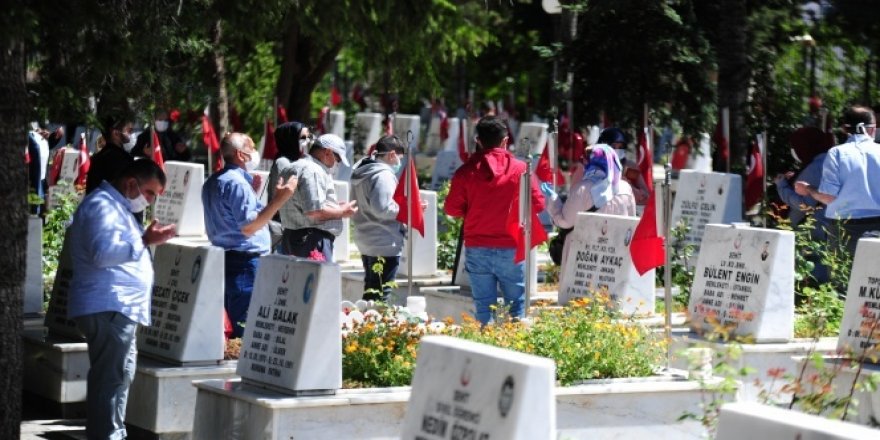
(236, 221)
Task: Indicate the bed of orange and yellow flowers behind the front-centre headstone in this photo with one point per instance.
(587, 339)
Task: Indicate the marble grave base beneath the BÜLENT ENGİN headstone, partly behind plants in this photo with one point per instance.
(761, 357)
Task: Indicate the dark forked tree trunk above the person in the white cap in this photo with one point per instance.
(304, 62)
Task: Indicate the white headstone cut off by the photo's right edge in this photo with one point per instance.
(859, 330)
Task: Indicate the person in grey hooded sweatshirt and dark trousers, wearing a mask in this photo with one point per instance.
(377, 233)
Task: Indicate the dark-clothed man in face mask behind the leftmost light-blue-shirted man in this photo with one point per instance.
(113, 158)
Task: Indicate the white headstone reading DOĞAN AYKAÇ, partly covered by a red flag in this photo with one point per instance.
(598, 259)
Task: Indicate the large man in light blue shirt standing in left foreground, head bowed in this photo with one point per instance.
(110, 289)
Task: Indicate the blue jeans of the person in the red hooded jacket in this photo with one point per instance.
(488, 268)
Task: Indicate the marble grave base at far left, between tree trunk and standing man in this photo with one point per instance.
(55, 368)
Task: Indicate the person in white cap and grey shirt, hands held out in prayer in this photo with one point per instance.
(312, 218)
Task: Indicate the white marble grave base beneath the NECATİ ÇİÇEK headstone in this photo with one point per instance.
(162, 400)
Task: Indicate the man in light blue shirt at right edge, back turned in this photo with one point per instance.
(850, 187)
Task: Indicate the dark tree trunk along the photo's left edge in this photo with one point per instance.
(13, 180)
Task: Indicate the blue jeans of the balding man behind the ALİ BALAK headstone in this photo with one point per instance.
(241, 272)
